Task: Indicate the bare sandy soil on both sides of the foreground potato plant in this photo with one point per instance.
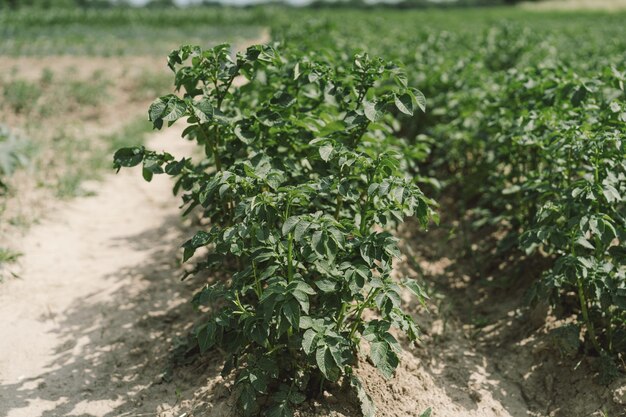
(96, 322)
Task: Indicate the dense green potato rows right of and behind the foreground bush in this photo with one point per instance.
(525, 135)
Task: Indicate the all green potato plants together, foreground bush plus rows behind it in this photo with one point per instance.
(313, 162)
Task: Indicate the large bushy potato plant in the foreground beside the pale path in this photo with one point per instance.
(301, 182)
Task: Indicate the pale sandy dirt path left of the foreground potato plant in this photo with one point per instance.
(95, 276)
